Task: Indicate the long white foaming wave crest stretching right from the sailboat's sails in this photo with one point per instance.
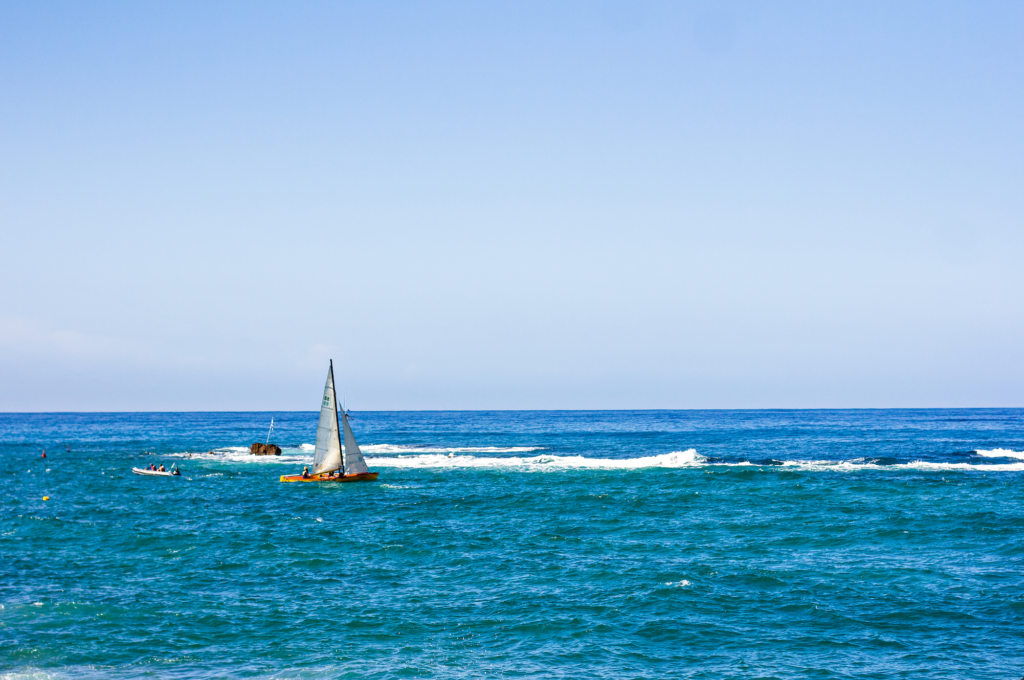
(676, 459)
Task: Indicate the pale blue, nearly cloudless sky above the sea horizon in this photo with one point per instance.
(523, 205)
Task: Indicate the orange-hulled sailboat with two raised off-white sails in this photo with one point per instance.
(330, 462)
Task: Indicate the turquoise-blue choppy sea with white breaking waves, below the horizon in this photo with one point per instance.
(843, 544)
